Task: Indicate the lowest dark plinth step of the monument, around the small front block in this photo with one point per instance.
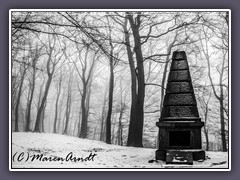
(197, 154)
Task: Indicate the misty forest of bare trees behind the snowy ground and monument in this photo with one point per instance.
(102, 75)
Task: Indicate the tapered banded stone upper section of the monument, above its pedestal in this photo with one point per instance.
(179, 102)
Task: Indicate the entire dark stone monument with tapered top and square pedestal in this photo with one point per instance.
(180, 124)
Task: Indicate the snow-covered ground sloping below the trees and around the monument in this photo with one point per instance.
(59, 151)
